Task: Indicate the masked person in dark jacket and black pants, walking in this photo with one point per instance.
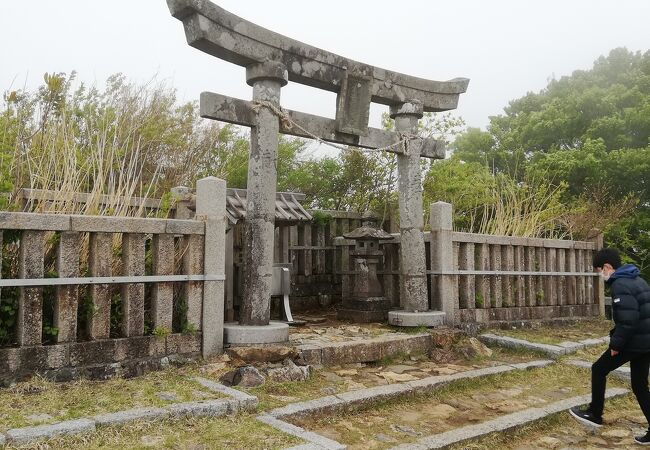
(629, 339)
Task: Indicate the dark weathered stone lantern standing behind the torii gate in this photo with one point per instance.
(365, 302)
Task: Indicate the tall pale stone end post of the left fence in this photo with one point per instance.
(211, 208)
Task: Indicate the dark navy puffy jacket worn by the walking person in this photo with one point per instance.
(630, 310)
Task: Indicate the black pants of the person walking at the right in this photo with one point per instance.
(639, 363)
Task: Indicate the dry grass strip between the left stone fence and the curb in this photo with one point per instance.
(83, 398)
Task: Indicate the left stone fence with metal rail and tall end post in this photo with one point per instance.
(120, 295)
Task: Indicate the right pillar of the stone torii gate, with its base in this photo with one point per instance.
(413, 277)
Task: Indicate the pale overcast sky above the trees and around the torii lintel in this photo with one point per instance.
(505, 47)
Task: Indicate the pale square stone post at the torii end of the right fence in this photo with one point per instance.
(442, 260)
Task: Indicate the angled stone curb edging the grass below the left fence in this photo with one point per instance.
(218, 407)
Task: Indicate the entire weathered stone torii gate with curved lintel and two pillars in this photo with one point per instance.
(271, 60)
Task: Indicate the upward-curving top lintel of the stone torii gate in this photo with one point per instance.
(220, 33)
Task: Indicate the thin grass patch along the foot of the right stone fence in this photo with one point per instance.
(554, 334)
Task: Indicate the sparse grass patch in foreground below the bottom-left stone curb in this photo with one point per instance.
(241, 432)
